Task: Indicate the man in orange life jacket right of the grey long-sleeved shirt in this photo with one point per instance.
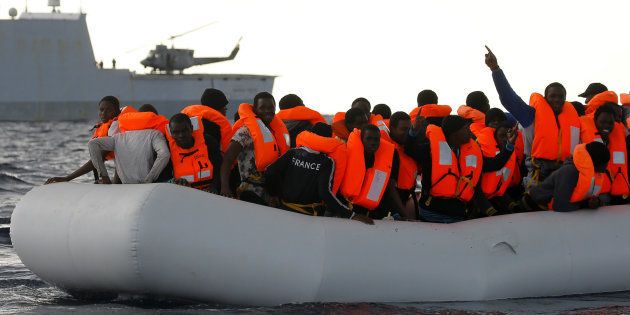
(195, 156)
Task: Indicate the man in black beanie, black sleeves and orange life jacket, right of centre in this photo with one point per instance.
(451, 163)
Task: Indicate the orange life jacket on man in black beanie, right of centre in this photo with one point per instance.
(453, 177)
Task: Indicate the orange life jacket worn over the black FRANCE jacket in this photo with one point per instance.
(332, 147)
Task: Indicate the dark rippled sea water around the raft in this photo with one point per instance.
(32, 152)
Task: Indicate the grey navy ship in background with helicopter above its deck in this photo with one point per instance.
(49, 73)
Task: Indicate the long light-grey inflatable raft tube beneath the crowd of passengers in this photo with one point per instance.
(166, 240)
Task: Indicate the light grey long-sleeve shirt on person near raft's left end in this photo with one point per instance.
(141, 155)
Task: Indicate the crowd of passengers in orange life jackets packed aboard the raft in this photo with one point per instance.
(371, 164)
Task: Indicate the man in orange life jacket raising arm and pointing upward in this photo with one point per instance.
(551, 126)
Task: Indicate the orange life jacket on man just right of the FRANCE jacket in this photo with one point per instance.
(365, 187)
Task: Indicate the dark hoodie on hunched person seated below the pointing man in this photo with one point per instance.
(559, 186)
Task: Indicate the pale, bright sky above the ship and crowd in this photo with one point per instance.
(330, 52)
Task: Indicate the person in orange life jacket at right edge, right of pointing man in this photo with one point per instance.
(603, 128)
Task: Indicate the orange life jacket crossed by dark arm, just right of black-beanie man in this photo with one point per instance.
(494, 184)
